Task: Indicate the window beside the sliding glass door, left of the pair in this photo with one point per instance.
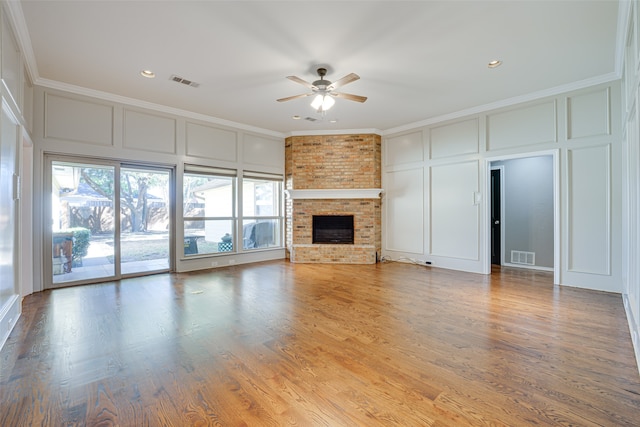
(208, 210)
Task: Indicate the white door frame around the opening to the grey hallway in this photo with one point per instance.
(555, 154)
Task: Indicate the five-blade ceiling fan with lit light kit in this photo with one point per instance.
(324, 90)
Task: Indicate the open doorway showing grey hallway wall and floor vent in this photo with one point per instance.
(523, 212)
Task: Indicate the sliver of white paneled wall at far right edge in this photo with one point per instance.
(631, 176)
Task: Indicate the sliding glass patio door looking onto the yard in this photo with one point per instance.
(108, 220)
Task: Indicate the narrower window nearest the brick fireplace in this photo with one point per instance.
(261, 211)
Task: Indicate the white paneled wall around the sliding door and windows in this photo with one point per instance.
(82, 125)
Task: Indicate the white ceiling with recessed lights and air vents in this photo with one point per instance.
(419, 61)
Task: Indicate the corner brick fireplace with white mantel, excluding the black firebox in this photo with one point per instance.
(333, 175)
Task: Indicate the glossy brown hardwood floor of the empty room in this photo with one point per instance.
(278, 344)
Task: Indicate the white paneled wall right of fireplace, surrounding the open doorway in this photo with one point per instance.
(577, 128)
